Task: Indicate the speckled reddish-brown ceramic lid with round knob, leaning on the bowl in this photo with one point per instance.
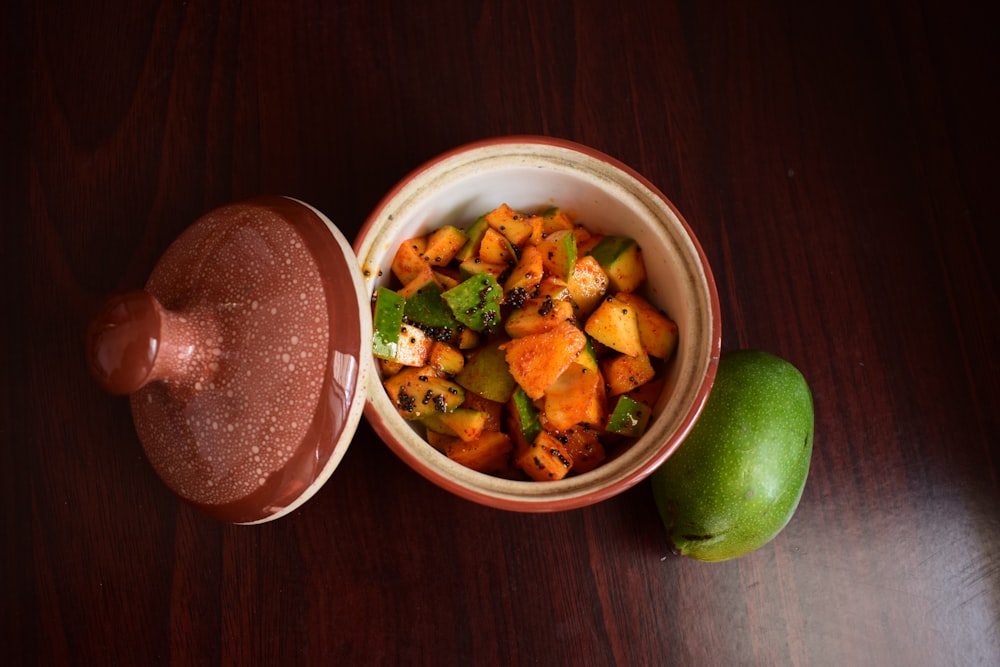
(243, 358)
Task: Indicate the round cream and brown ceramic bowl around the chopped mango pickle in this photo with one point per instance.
(532, 174)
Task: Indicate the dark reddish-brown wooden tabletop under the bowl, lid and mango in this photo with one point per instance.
(838, 161)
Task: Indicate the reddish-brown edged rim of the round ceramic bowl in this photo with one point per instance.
(547, 503)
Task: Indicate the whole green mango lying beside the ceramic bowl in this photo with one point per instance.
(736, 480)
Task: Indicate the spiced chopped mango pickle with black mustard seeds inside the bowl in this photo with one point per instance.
(522, 345)
